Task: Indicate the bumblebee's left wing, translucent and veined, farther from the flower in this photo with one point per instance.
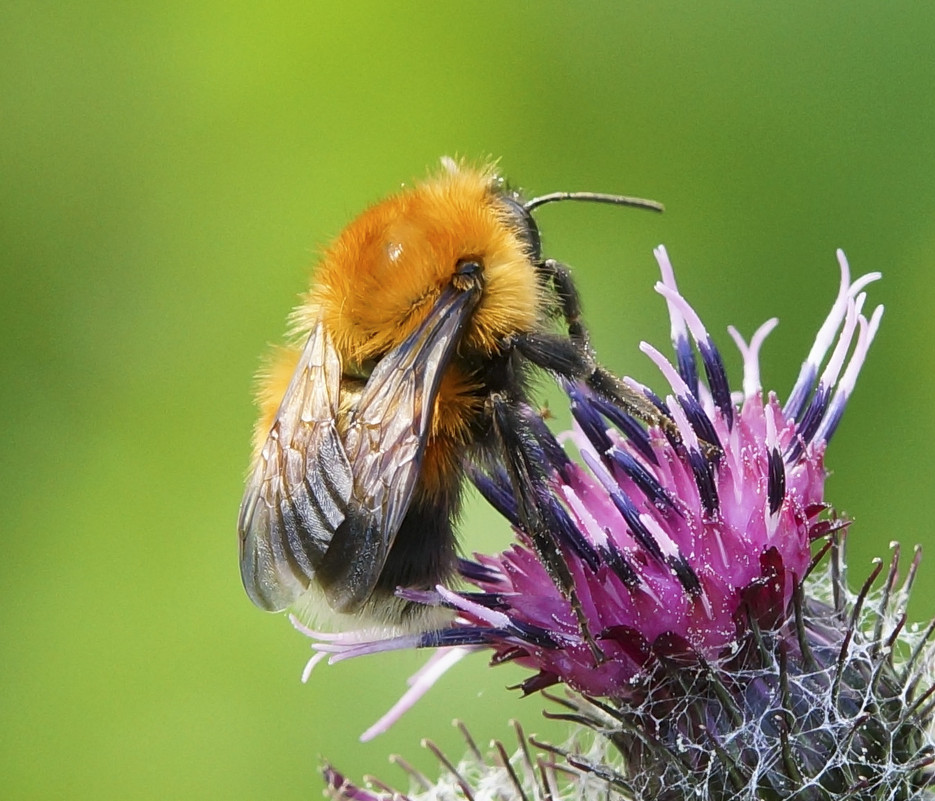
(301, 485)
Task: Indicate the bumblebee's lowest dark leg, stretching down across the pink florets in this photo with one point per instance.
(524, 463)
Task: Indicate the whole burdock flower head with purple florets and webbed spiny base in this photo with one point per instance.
(713, 654)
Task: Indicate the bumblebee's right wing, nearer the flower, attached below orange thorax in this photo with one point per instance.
(385, 442)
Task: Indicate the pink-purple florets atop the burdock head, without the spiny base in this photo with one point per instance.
(666, 540)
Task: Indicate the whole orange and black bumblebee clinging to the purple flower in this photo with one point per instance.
(412, 359)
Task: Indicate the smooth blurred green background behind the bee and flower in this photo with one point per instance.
(168, 172)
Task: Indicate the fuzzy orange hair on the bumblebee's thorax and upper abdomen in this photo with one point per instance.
(376, 283)
